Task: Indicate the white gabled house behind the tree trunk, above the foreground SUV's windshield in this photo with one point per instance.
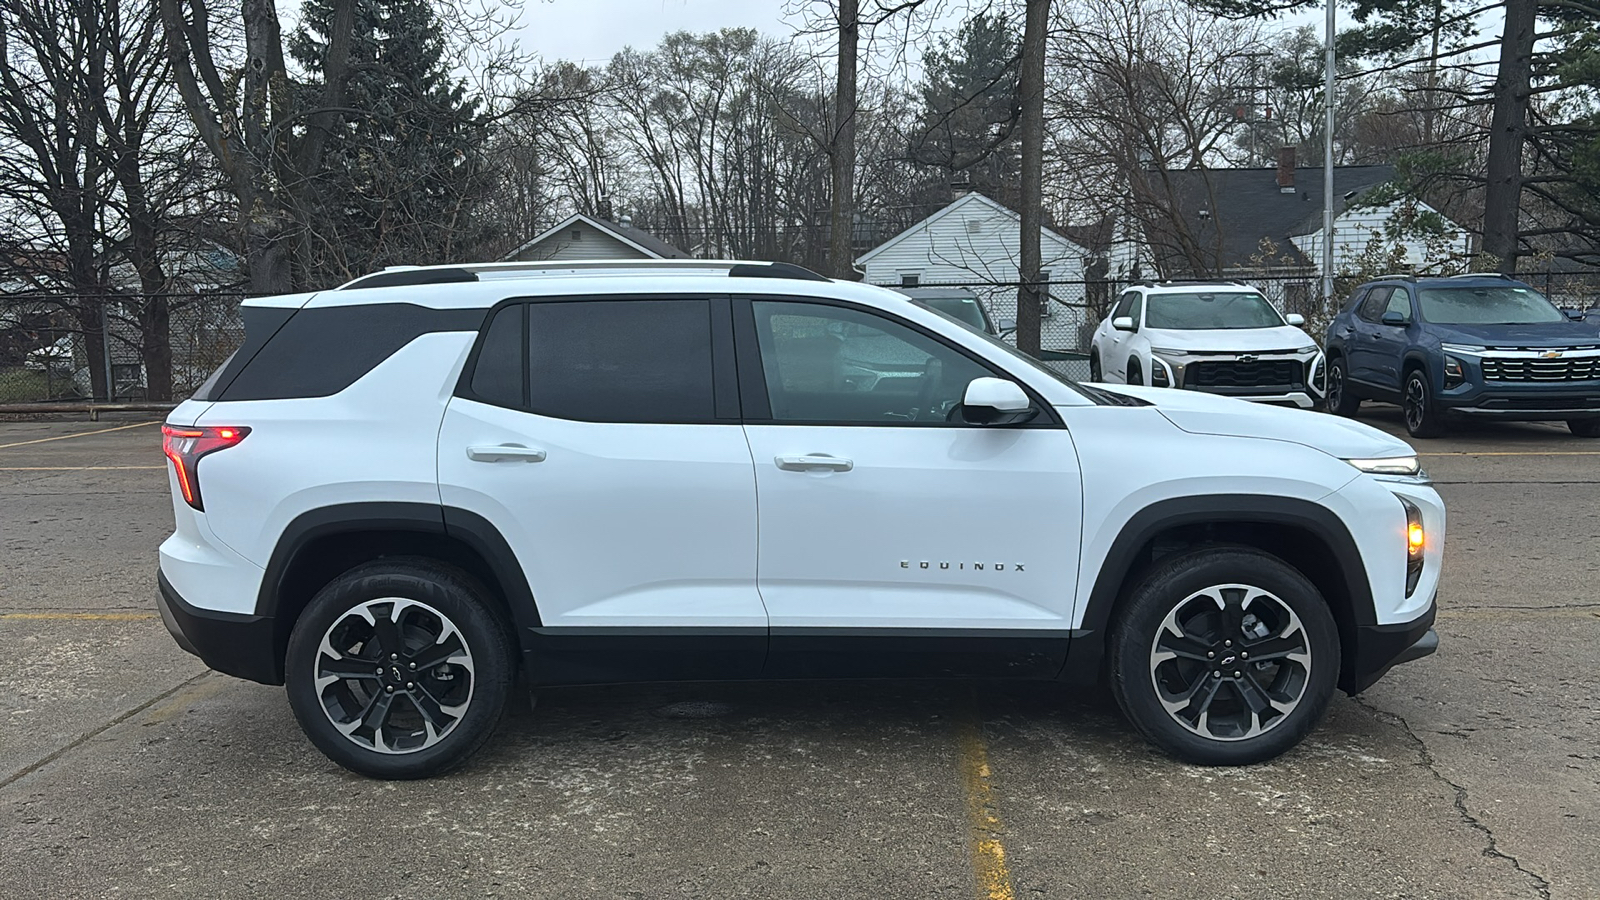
(975, 244)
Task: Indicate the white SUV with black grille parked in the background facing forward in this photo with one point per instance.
(1214, 337)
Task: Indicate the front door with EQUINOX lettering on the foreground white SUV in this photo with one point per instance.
(897, 540)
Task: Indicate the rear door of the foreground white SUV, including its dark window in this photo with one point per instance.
(601, 438)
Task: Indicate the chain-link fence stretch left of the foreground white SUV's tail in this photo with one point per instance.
(113, 348)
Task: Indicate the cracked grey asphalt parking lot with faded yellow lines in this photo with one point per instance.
(127, 769)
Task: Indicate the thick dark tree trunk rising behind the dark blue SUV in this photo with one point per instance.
(1508, 134)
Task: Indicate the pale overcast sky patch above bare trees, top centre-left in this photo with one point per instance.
(593, 31)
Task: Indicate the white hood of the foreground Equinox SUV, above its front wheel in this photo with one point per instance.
(1209, 414)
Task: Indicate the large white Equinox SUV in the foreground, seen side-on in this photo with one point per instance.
(401, 496)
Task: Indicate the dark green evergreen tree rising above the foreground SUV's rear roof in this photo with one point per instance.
(404, 169)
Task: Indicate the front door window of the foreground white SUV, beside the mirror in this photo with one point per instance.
(842, 366)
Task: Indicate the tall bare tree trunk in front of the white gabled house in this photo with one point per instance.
(1031, 97)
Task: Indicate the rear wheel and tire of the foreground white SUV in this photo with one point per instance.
(441, 712)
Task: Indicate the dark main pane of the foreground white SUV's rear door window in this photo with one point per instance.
(646, 361)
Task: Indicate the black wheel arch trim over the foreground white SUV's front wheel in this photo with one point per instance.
(1122, 560)
